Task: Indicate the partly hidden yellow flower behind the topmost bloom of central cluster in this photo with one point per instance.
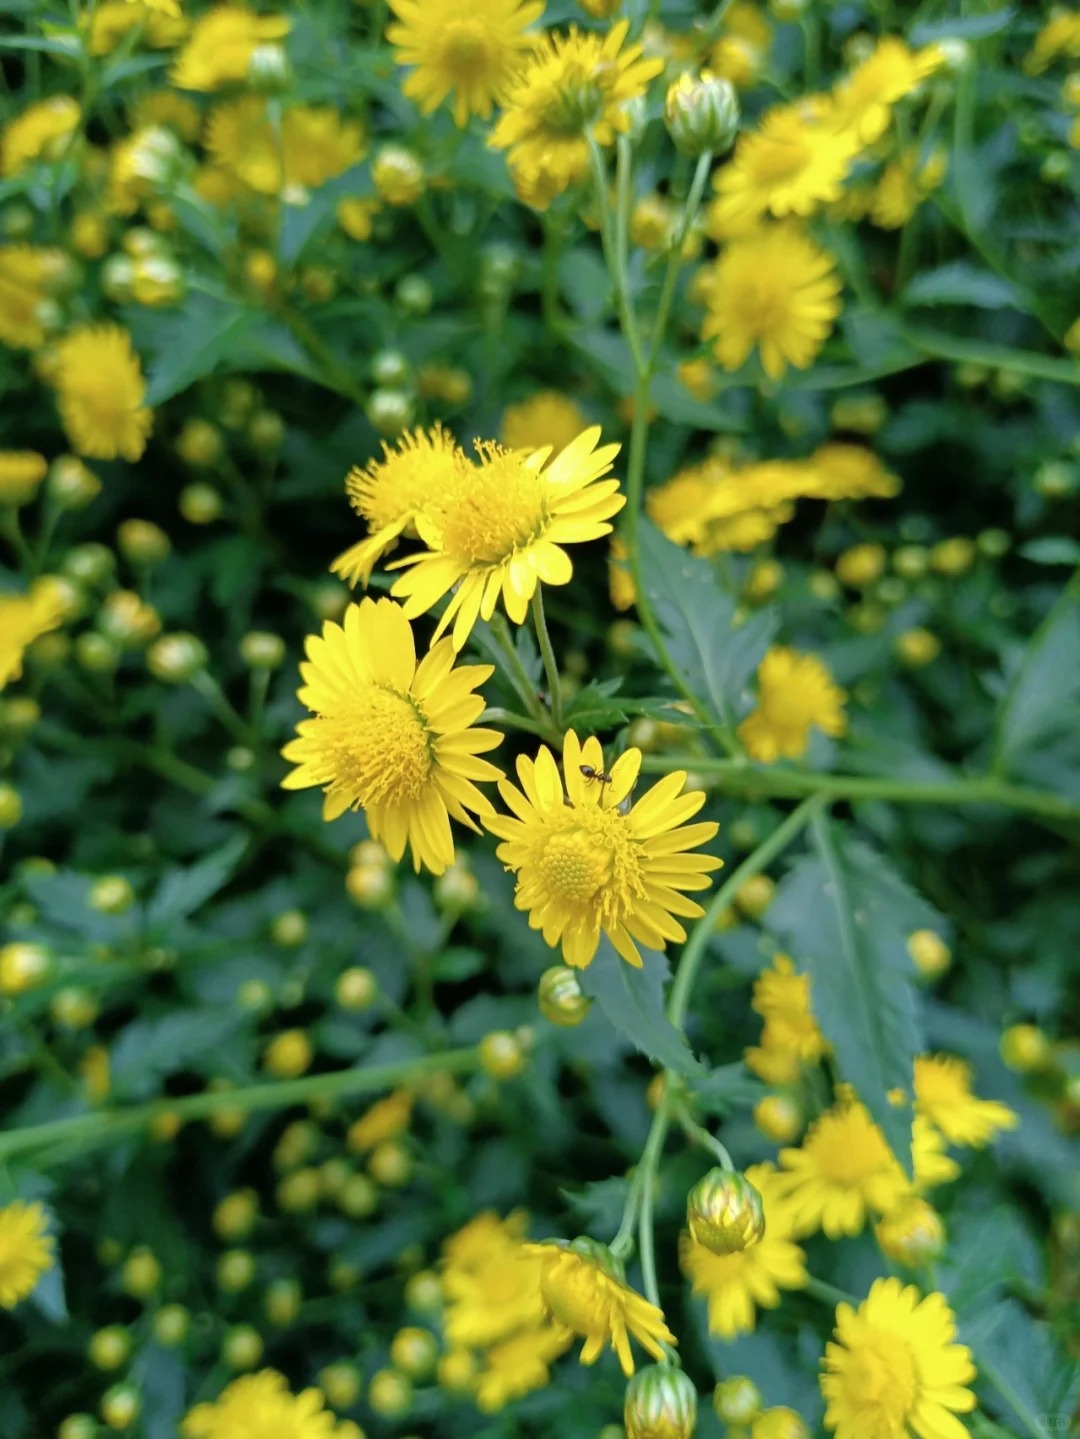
(392, 493)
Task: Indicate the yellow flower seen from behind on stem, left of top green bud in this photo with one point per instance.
(575, 86)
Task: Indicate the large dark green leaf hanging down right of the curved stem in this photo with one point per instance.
(846, 917)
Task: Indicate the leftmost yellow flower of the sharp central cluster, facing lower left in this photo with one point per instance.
(393, 737)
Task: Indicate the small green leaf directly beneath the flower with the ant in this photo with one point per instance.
(633, 1001)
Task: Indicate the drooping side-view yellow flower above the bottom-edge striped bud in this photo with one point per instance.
(585, 1293)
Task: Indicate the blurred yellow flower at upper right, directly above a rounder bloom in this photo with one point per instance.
(793, 165)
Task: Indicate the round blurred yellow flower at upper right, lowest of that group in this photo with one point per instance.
(774, 291)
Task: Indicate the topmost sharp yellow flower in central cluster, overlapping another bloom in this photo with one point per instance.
(497, 530)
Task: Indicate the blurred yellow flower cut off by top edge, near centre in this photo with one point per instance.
(470, 50)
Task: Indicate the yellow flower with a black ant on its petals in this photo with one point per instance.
(590, 866)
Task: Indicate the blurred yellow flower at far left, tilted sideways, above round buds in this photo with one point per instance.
(100, 394)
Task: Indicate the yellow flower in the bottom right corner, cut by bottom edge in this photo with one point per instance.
(895, 1371)
